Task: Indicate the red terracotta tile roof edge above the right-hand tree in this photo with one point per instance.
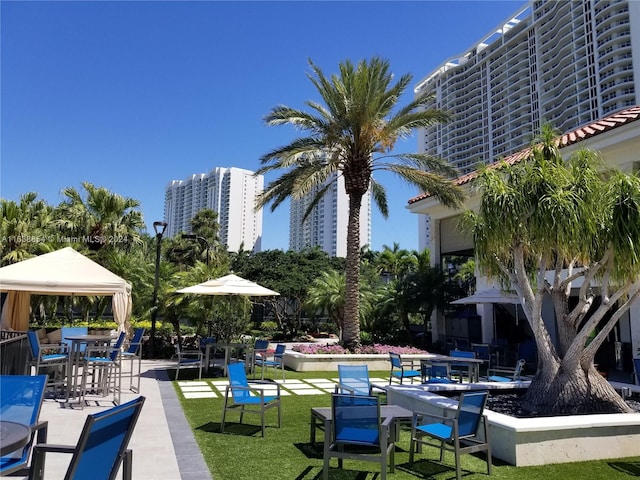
(606, 124)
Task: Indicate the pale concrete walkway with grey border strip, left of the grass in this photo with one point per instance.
(163, 444)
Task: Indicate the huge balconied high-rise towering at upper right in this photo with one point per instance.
(567, 63)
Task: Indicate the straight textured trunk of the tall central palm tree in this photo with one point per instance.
(351, 331)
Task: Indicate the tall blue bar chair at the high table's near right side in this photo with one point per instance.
(104, 363)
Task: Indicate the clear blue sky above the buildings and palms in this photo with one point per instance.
(132, 95)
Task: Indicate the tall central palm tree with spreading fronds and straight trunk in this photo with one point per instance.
(353, 134)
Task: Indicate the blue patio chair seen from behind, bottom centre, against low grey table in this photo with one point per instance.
(357, 424)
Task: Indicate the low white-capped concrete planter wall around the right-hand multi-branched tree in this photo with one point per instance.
(537, 441)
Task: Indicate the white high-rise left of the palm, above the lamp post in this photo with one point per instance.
(231, 193)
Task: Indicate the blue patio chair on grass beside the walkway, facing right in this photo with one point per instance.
(240, 395)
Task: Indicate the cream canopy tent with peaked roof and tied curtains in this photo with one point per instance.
(63, 272)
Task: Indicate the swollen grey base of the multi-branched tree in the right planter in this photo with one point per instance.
(571, 391)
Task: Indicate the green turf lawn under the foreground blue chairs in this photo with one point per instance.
(285, 453)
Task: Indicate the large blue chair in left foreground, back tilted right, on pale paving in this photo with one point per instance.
(101, 448)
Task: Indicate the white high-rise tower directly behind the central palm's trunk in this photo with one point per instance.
(326, 225)
